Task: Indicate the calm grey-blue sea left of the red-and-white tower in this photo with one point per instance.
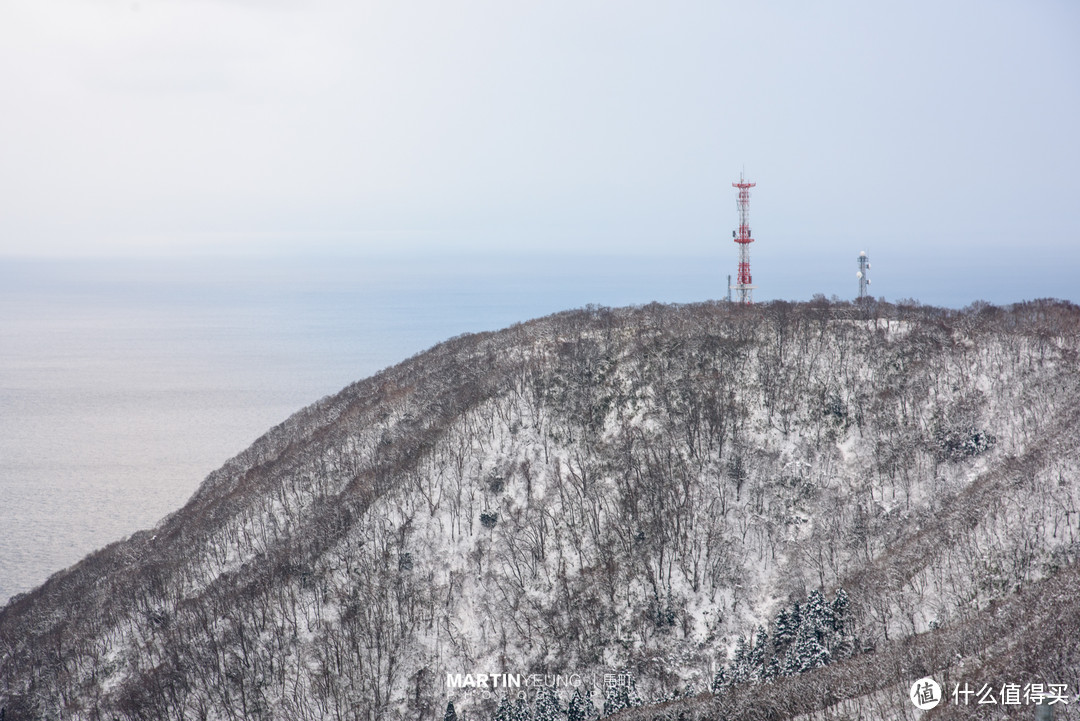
(125, 383)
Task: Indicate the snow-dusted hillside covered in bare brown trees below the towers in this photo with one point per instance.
(700, 512)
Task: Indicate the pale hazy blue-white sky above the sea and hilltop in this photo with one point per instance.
(941, 138)
